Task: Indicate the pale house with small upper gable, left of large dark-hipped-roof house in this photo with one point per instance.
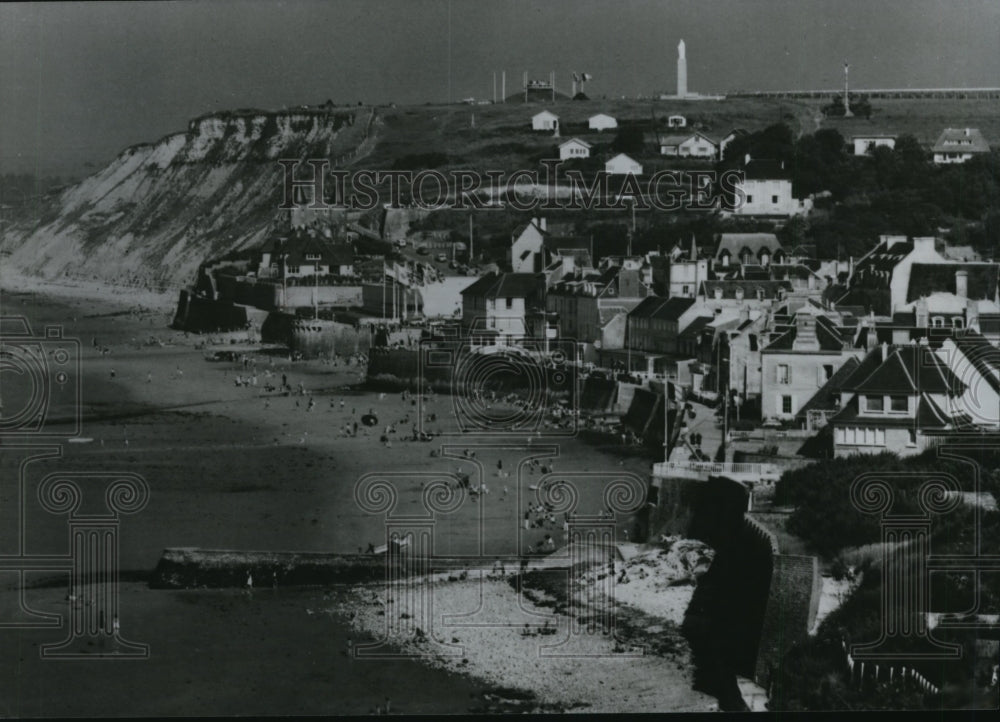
(799, 362)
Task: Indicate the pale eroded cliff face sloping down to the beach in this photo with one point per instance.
(159, 210)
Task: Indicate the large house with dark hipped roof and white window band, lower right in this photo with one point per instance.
(900, 399)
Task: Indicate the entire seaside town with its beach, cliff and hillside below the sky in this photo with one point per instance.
(696, 409)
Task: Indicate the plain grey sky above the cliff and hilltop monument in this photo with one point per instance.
(81, 81)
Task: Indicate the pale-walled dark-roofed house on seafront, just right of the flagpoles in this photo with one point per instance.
(505, 307)
